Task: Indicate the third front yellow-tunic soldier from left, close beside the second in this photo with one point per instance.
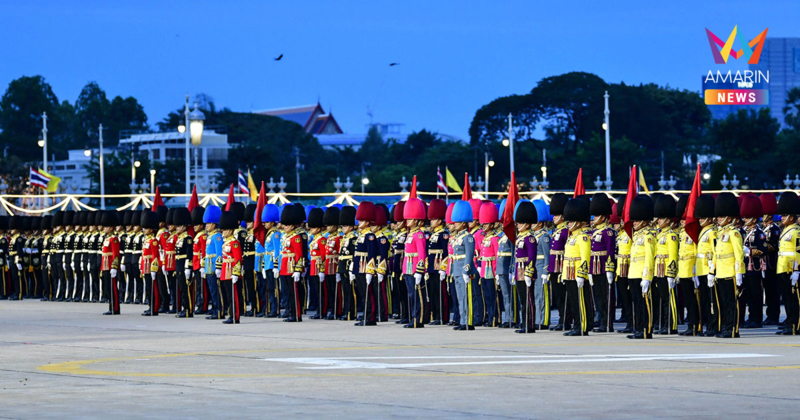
(666, 266)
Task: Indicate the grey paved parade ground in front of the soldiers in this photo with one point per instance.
(66, 360)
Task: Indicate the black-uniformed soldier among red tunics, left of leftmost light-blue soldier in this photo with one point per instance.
(185, 287)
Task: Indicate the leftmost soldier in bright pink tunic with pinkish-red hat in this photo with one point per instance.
(415, 259)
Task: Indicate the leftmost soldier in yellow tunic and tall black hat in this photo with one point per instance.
(575, 274)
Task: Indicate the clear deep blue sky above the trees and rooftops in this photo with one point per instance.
(455, 56)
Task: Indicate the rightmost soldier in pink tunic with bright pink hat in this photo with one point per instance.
(488, 247)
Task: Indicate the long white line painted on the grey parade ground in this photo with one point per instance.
(362, 363)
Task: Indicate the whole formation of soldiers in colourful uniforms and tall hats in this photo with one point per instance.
(425, 264)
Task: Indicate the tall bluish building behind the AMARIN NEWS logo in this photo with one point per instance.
(781, 56)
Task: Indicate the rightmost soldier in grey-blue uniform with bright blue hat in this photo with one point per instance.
(541, 288)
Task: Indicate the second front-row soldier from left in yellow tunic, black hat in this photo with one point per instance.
(640, 273)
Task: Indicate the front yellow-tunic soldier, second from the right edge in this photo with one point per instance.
(727, 267)
